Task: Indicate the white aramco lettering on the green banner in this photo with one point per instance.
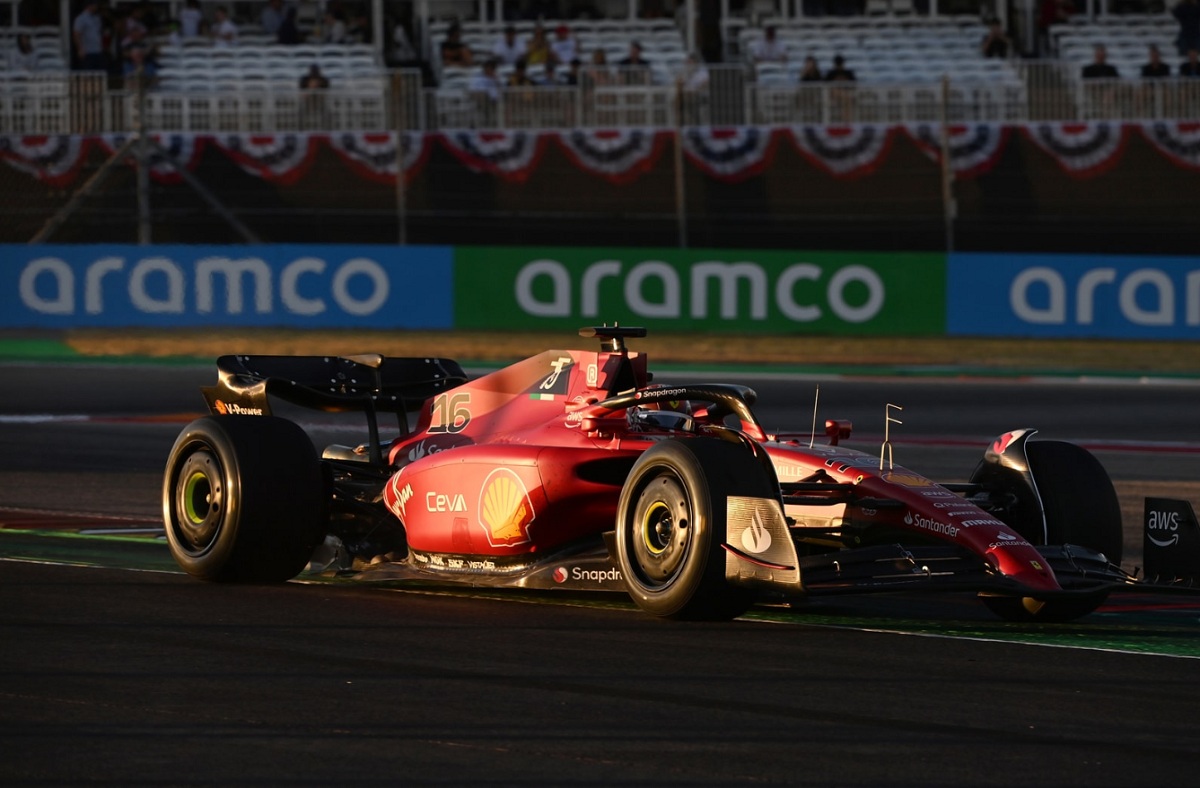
(742, 291)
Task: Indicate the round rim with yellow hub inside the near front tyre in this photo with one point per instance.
(662, 537)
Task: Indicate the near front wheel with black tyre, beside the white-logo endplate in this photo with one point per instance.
(671, 522)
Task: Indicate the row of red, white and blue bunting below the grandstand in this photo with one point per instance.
(620, 157)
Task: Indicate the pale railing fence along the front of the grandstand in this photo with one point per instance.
(1041, 91)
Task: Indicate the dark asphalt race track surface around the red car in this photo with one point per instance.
(115, 669)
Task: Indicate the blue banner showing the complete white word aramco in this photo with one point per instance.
(302, 286)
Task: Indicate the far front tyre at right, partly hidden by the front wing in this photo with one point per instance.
(1082, 509)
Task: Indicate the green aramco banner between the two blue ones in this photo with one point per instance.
(745, 292)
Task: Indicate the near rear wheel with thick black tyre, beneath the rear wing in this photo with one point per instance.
(243, 500)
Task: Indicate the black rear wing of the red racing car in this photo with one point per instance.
(368, 383)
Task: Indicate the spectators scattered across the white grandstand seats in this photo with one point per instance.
(122, 40)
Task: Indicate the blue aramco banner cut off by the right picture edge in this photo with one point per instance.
(1073, 296)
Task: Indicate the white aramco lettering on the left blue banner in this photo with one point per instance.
(217, 285)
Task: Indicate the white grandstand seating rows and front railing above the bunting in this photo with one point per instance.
(910, 69)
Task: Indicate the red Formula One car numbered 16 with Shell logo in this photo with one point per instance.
(572, 470)
